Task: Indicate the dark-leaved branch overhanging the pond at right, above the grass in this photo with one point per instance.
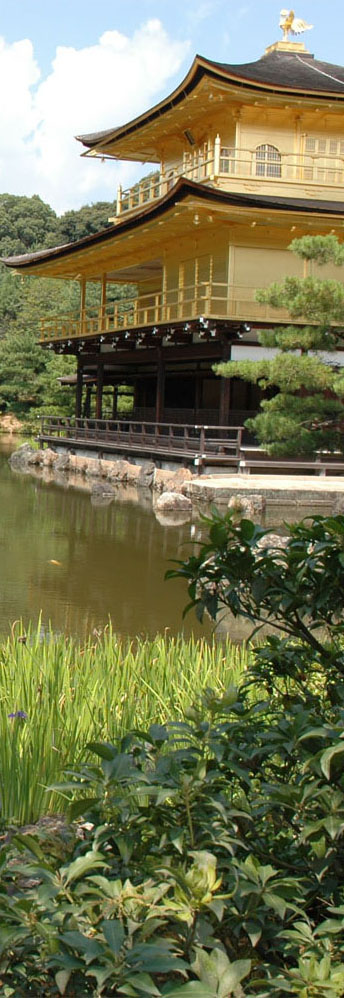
(297, 588)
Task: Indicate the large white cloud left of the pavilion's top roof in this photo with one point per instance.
(88, 89)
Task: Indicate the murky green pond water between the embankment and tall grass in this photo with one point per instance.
(77, 564)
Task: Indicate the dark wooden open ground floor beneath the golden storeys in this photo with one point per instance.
(163, 385)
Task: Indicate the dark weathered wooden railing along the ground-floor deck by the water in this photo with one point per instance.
(201, 444)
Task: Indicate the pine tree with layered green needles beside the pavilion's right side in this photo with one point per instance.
(307, 413)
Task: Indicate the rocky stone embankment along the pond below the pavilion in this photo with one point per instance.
(174, 494)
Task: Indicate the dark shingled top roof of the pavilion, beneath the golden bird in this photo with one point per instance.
(298, 73)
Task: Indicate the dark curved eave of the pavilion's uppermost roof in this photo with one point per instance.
(101, 140)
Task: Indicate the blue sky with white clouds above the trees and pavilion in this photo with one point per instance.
(69, 67)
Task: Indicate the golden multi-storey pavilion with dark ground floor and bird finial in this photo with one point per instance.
(242, 158)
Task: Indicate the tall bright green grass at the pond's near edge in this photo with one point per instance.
(73, 693)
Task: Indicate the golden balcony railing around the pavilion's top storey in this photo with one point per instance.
(215, 162)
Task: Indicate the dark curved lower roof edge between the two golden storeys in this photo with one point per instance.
(34, 263)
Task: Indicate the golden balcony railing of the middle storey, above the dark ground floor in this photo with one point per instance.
(207, 299)
